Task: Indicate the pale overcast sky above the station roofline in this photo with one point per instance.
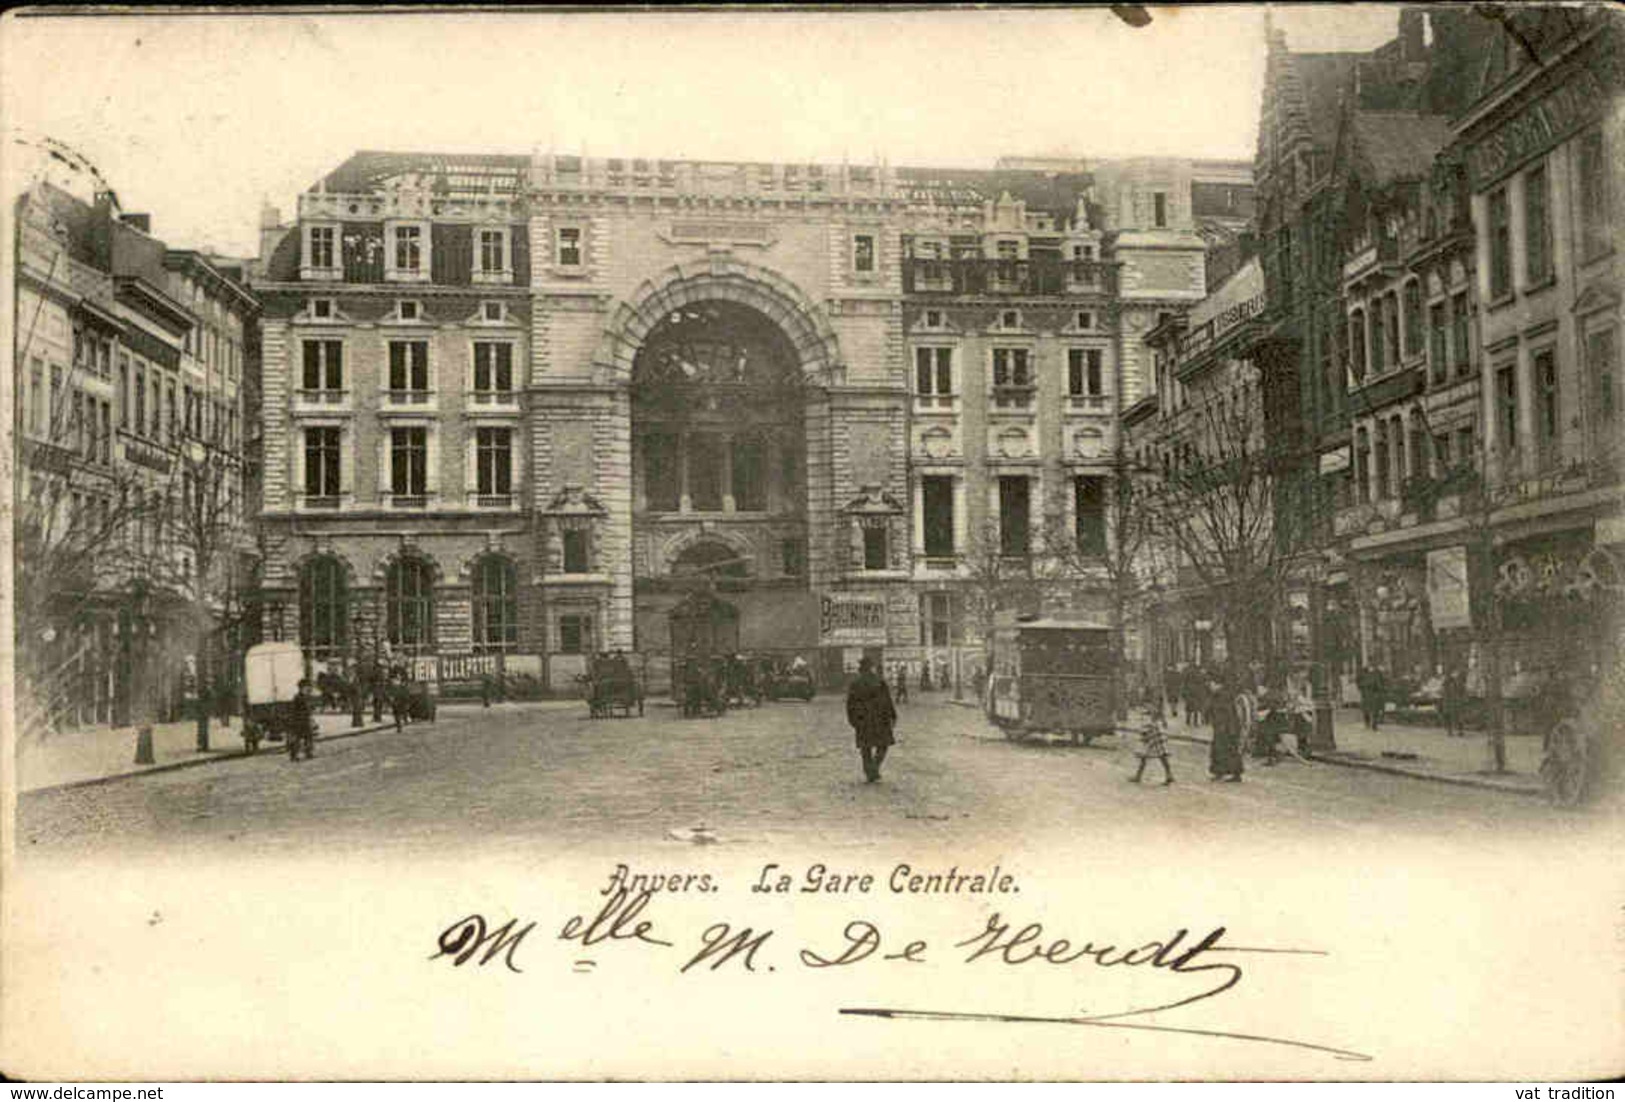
(197, 119)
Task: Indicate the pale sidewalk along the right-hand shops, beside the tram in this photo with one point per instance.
(1418, 752)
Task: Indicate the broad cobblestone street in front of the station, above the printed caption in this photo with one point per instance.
(778, 774)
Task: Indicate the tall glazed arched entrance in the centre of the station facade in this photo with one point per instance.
(719, 482)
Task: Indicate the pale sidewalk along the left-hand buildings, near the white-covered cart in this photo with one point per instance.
(106, 753)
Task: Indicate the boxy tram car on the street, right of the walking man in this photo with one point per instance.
(1052, 677)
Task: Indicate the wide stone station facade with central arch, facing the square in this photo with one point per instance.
(553, 406)
